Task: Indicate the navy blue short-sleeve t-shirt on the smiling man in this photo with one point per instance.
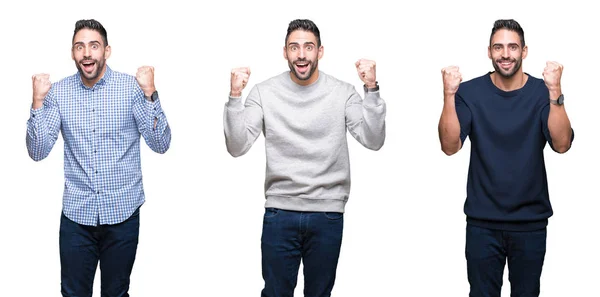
(507, 188)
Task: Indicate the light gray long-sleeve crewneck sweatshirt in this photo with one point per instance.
(308, 168)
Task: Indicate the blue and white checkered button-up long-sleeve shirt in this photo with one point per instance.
(101, 128)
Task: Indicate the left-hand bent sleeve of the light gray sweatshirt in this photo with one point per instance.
(242, 122)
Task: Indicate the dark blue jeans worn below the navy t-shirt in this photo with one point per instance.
(488, 250)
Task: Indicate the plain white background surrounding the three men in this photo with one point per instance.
(201, 225)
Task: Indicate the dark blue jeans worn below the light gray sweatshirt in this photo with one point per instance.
(289, 237)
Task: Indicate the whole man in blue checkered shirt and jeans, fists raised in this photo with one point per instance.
(101, 115)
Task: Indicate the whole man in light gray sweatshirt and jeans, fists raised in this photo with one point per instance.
(304, 114)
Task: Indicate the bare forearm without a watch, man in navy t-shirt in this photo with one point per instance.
(449, 127)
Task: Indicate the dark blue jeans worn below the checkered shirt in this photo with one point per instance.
(81, 247)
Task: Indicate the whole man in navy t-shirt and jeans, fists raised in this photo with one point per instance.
(509, 116)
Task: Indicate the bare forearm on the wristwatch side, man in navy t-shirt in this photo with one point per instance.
(559, 125)
